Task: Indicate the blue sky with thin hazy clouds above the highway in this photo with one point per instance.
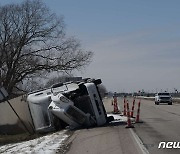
(136, 43)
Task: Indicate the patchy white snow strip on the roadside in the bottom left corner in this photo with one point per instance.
(48, 144)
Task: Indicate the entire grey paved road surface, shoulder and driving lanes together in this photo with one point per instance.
(160, 123)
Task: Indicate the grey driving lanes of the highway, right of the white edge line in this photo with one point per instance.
(160, 123)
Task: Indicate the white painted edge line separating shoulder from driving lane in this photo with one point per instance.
(139, 142)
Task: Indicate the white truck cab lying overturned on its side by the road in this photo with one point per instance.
(75, 104)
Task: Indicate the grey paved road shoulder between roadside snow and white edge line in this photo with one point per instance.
(111, 139)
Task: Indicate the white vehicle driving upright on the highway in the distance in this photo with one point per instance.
(163, 98)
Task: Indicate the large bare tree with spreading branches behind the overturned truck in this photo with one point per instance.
(33, 41)
